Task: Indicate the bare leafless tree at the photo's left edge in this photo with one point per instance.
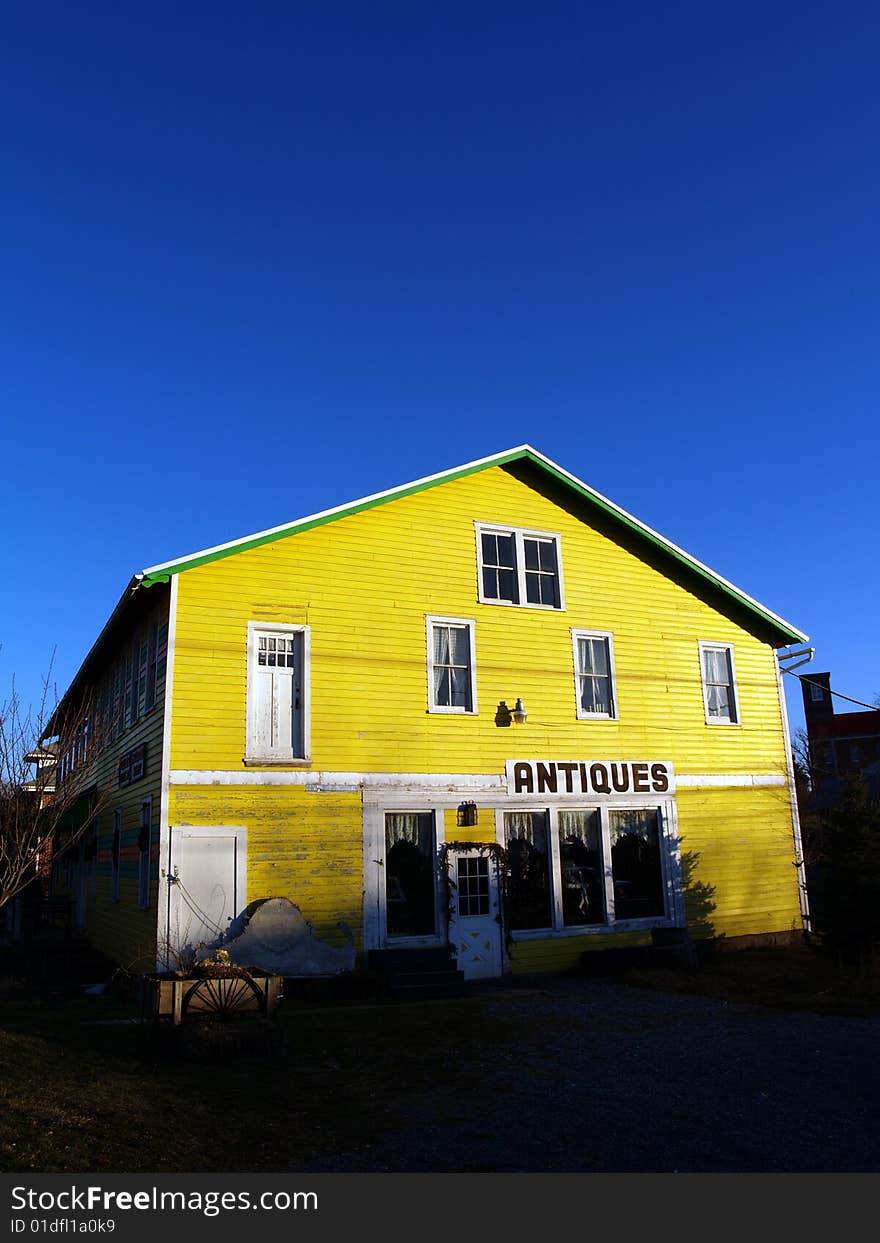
(48, 791)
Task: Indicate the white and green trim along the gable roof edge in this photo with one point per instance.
(782, 631)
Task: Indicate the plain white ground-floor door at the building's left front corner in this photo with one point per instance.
(206, 888)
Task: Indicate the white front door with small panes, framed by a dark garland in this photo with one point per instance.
(475, 914)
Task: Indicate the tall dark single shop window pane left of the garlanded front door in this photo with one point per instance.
(410, 874)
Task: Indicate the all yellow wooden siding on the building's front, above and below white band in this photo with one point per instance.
(364, 585)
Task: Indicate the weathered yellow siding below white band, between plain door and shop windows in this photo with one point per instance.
(301, 846)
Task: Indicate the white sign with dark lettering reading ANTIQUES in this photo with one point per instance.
(590, 777)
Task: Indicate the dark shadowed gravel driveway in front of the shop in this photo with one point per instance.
(617, 1080)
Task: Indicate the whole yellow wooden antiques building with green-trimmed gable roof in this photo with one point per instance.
(488, 710)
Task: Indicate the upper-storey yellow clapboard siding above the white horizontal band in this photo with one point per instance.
(365, 585)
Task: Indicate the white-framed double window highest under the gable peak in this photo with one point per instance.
(516, 566)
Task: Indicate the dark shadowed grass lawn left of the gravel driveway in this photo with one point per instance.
(83, 1093)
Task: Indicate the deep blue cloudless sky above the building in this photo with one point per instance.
(263, 259)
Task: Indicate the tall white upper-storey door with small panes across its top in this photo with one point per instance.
(278, 693)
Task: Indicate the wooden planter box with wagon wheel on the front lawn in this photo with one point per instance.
(171, 999)
